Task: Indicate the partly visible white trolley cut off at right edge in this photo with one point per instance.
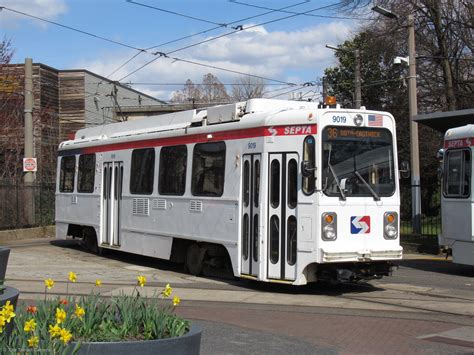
(457, 200)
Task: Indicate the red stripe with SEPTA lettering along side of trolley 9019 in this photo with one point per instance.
(288, 130)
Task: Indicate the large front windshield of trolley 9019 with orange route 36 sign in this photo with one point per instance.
(358, 162)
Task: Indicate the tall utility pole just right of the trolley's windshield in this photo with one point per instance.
(413, 111)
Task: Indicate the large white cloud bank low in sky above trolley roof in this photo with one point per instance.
(292, 56)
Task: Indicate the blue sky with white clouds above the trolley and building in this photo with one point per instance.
(290, 50)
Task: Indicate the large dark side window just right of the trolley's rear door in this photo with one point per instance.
(142, 171)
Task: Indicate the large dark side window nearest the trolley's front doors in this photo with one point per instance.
(208, 169)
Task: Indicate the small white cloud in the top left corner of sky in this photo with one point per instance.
(47, 9)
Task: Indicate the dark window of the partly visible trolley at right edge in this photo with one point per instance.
(457, 167)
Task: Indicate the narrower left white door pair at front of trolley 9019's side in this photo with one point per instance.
(251, 208)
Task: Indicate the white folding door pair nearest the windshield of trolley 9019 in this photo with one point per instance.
(282, 222)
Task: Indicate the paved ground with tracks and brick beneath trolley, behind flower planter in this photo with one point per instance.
(426, 307)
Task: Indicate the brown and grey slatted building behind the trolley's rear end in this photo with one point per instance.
(63, 102)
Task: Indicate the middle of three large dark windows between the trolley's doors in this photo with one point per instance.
(172, 177)
